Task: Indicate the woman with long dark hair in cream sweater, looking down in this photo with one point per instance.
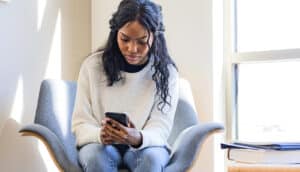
(134, 74)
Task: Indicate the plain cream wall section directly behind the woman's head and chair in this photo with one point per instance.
(189, 38)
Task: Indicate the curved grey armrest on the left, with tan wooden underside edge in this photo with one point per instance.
(53, 144)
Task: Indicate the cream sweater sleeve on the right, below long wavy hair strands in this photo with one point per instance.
(159, 125)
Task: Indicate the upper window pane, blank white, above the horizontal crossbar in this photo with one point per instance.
(267, 25)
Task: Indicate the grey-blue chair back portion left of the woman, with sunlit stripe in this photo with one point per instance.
(54, 111)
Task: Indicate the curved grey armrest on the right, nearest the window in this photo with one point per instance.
(188, 144)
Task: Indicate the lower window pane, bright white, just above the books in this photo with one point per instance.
(268, 101)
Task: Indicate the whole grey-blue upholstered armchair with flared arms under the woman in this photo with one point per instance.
(53, 126)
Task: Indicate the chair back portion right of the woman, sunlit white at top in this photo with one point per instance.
(185, 115)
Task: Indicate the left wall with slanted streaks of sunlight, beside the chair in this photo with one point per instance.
(38, 39)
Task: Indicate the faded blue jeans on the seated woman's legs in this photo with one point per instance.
(108, 158)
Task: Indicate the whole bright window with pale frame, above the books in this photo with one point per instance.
(263, 52)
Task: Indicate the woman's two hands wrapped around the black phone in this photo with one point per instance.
(114, 132)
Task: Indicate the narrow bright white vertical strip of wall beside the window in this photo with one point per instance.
(218, 83)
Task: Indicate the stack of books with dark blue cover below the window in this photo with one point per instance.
(263, 153)
